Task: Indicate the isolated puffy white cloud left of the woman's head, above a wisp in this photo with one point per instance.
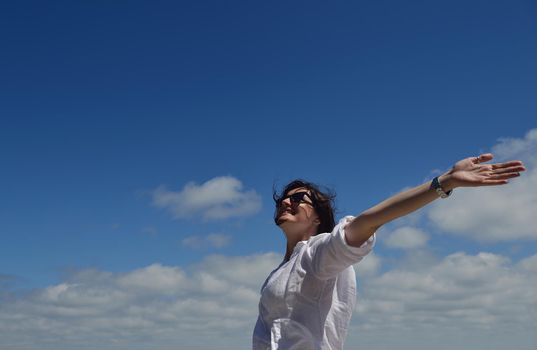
(219, 198)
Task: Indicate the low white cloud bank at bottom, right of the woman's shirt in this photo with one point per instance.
(484, 300)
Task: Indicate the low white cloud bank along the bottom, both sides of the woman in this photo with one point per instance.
(213, 305)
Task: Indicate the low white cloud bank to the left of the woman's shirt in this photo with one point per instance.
(208, 306)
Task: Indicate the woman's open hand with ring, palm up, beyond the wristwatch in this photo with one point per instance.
(471, 172)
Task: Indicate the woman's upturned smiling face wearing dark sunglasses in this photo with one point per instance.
(296, 212)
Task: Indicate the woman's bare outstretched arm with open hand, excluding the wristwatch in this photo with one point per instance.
(469, 172)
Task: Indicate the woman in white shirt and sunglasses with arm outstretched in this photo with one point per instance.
(307, 302)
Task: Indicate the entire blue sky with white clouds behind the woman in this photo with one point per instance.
(140, 143)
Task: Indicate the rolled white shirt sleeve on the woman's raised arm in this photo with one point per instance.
(328, 254)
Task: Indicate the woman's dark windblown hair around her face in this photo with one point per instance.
(323, 203)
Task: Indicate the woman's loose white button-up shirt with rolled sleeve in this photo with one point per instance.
(307, 302)
